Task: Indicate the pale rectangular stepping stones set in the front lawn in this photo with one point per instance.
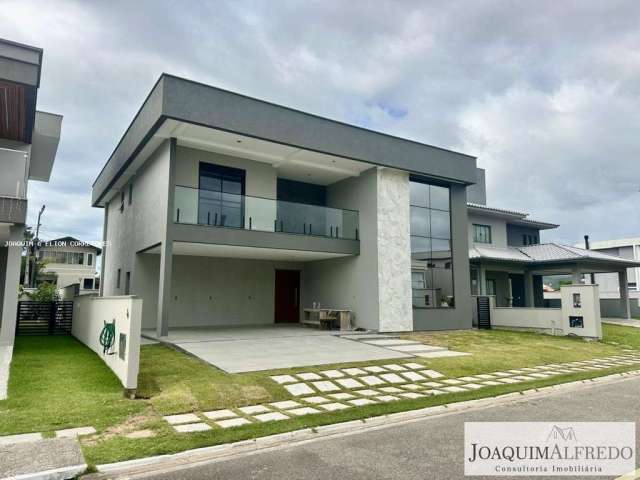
(351, 388)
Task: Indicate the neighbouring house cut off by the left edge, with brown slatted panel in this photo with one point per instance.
(28, 144)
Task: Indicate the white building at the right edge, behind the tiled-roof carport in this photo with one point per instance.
(610, 282)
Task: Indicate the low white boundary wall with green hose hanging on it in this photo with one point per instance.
(89, 316)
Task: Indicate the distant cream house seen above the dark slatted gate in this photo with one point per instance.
(70, 261)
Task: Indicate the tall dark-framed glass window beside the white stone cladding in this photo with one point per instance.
(431, 258)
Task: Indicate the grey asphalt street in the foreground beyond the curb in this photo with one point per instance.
(427, 449)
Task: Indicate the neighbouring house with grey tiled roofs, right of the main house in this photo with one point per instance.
(508, 259)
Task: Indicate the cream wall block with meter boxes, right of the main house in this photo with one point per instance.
(581, 310)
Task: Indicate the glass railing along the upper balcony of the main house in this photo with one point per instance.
(219, 209)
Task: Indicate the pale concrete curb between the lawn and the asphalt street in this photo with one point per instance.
(165, 463)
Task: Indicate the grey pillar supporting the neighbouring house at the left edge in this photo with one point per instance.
(10, 287)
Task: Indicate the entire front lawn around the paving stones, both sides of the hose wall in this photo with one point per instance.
(56, 382)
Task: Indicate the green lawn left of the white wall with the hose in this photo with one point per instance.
(56, 382)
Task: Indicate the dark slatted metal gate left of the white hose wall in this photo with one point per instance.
(44, 318)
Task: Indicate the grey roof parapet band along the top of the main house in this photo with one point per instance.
(195, 103)
